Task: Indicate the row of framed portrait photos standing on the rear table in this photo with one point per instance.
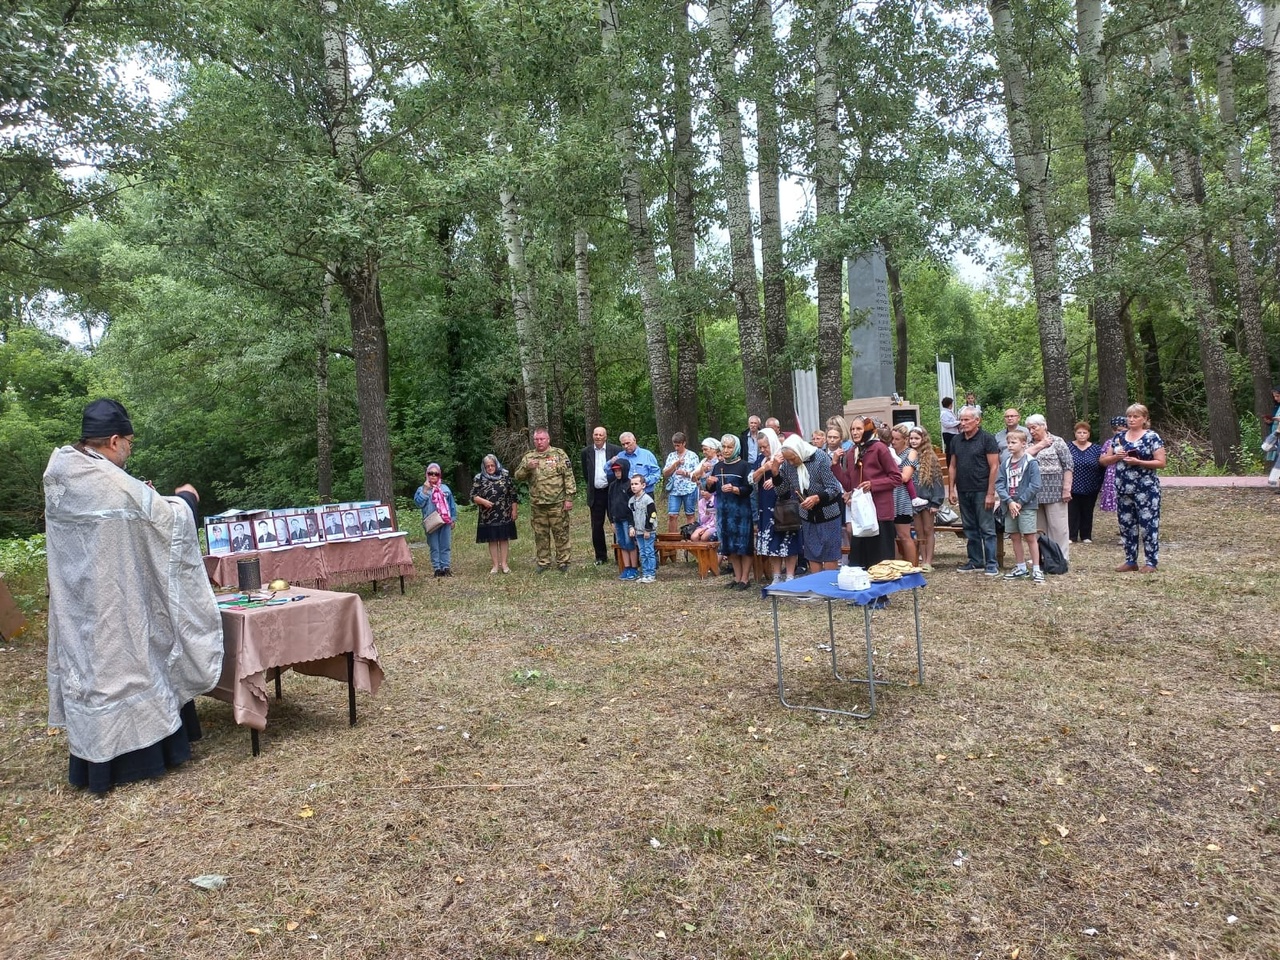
(312, 525)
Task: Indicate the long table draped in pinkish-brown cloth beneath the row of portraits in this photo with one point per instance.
(324, 566)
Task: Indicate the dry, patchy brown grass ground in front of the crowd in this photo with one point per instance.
(568, 766)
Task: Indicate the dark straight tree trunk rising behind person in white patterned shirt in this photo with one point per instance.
(684, 252)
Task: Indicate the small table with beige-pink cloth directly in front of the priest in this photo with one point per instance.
(323, 636)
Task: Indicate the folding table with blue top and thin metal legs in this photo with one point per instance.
(825, 587)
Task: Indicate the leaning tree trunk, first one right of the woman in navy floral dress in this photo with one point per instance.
(1190, 189)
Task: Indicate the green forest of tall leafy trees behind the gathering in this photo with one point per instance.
(316, 245)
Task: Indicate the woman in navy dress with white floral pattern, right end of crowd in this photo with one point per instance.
(1137, 454)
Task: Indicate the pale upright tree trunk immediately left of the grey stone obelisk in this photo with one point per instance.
(828, 273)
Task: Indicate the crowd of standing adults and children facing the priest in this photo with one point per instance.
(772, 495)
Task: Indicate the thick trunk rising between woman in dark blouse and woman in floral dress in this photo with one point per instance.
(1101, 185)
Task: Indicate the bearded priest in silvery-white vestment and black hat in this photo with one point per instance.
(134, 628)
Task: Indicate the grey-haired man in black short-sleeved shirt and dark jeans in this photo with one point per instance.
(972, 469)
